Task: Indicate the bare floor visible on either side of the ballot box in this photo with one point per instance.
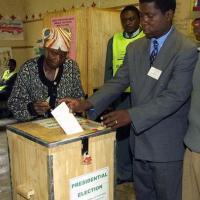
(122, 192)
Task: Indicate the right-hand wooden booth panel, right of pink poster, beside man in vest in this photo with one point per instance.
(102, 25)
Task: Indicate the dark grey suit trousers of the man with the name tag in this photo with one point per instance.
(157, 181)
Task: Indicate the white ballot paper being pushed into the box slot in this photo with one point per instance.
(66, 120)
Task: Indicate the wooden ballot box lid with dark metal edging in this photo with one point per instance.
(47, 132)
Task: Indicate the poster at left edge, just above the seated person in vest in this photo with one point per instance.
(5, 55)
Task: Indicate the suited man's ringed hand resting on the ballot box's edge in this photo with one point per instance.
(116, 119)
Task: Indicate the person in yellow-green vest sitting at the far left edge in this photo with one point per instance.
(7, 80)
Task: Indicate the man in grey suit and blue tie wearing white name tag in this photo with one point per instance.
(159, 69)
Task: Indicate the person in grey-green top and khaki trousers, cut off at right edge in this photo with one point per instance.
(191, 168)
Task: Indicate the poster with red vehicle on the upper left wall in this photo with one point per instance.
(11, 29)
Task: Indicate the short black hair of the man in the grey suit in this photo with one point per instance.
(163, 5)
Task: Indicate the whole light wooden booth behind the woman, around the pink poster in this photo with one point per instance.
(95, 27)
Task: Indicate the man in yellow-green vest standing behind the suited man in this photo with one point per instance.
(116, 49)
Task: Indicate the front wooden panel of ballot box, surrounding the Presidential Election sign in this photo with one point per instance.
(98, 149)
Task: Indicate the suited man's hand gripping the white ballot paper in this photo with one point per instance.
(76, 105)
